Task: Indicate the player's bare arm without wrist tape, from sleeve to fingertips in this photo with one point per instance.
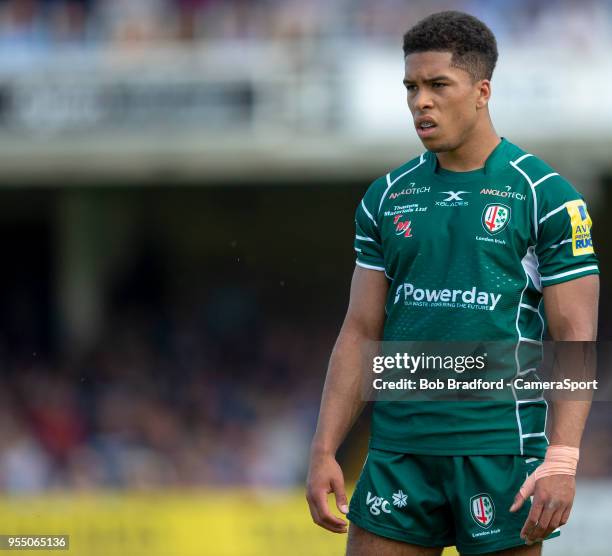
(342, 399)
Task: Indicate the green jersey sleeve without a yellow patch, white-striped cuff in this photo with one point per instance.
(368, 244)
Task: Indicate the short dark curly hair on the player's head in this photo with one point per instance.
(470, 41)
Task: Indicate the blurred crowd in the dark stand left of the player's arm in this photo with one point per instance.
(163, 402)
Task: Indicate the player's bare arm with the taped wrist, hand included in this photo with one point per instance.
(571, 312)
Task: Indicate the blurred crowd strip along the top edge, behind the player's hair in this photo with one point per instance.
(43, 24)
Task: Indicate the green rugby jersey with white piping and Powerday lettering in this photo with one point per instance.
(467, 255)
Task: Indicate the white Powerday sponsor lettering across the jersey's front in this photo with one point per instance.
(446, 297)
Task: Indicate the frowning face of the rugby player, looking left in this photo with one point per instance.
(443, 100)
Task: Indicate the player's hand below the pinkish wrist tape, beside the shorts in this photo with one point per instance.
(552, 503)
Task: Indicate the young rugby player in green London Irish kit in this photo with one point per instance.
(473, 213)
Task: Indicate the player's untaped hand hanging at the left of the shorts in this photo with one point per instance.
(325, 476)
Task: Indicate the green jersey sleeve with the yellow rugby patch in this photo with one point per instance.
(564, 245)
